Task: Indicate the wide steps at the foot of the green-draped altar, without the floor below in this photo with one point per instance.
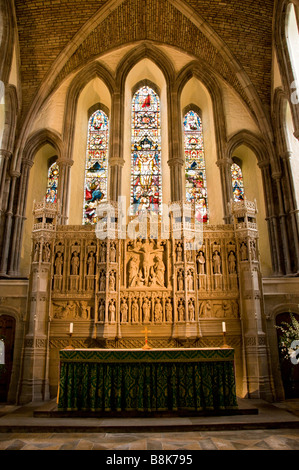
(45, 418)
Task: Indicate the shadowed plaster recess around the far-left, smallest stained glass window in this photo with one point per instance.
(37, 187)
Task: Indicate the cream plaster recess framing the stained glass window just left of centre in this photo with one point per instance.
(94, 95)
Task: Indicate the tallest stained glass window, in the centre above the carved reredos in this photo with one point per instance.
(146, 187)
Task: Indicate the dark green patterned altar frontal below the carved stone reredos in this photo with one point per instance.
(155, 380)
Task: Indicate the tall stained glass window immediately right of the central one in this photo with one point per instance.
(195, 168)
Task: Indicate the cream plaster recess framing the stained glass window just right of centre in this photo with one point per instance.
(195, 94)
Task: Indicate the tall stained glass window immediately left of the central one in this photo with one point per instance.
(96, 168)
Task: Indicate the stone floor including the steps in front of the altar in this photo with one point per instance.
(273, 427)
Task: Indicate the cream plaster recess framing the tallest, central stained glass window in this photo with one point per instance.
(145, 72)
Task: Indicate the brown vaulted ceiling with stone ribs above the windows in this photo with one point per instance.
(57, 37)
